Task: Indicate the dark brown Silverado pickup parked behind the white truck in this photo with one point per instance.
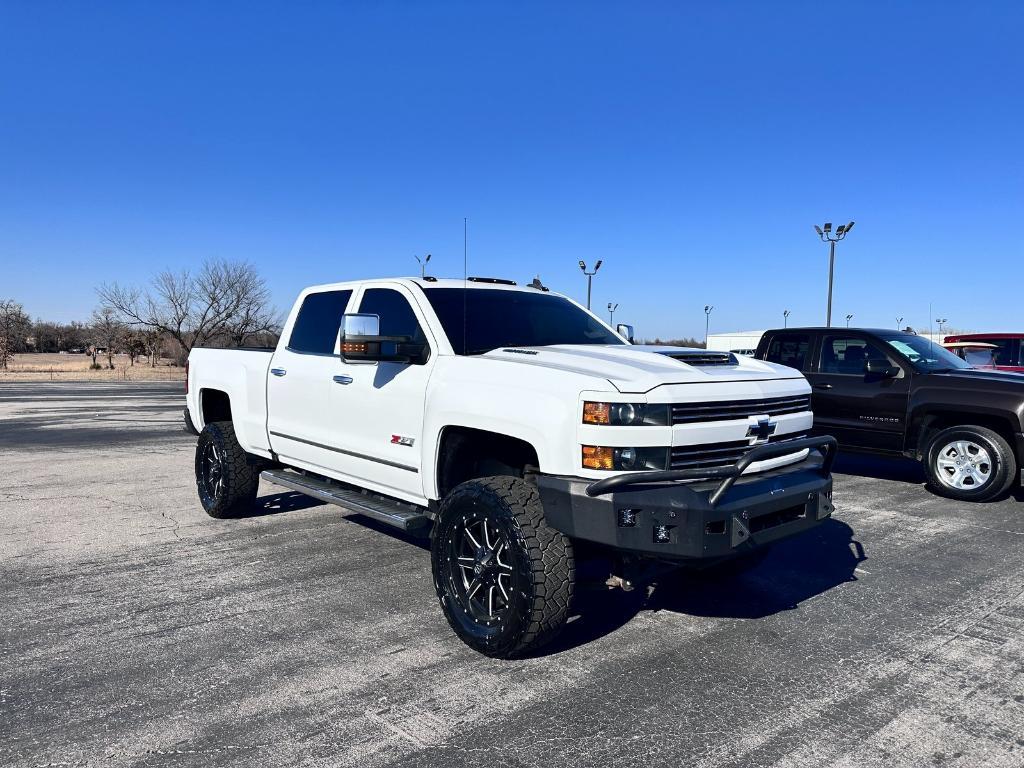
(897, 394)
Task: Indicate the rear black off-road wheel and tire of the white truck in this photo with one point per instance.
(233, 493)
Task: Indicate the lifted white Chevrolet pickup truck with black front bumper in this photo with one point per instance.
(518, 430)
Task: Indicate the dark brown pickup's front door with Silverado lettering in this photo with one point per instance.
(861, 410)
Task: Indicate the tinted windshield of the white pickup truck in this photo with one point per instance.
(513, 319)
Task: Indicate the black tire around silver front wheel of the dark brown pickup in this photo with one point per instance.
(1002, 473)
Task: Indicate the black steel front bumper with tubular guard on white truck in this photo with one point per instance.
(716, 515)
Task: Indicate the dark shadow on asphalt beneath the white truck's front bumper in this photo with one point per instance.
(795, 571)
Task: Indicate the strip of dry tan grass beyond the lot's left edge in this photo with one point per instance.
(47, 367)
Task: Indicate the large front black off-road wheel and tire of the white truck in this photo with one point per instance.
(537, 566)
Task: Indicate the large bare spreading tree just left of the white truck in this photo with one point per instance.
(225, 301)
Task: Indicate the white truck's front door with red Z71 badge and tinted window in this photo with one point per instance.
(376, 409)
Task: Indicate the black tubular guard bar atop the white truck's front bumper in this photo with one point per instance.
(826, 445)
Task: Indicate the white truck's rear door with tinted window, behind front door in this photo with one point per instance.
(301, 381)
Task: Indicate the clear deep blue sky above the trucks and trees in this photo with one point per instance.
(692, 147)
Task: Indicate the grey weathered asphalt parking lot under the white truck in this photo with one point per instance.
(137, 631)
